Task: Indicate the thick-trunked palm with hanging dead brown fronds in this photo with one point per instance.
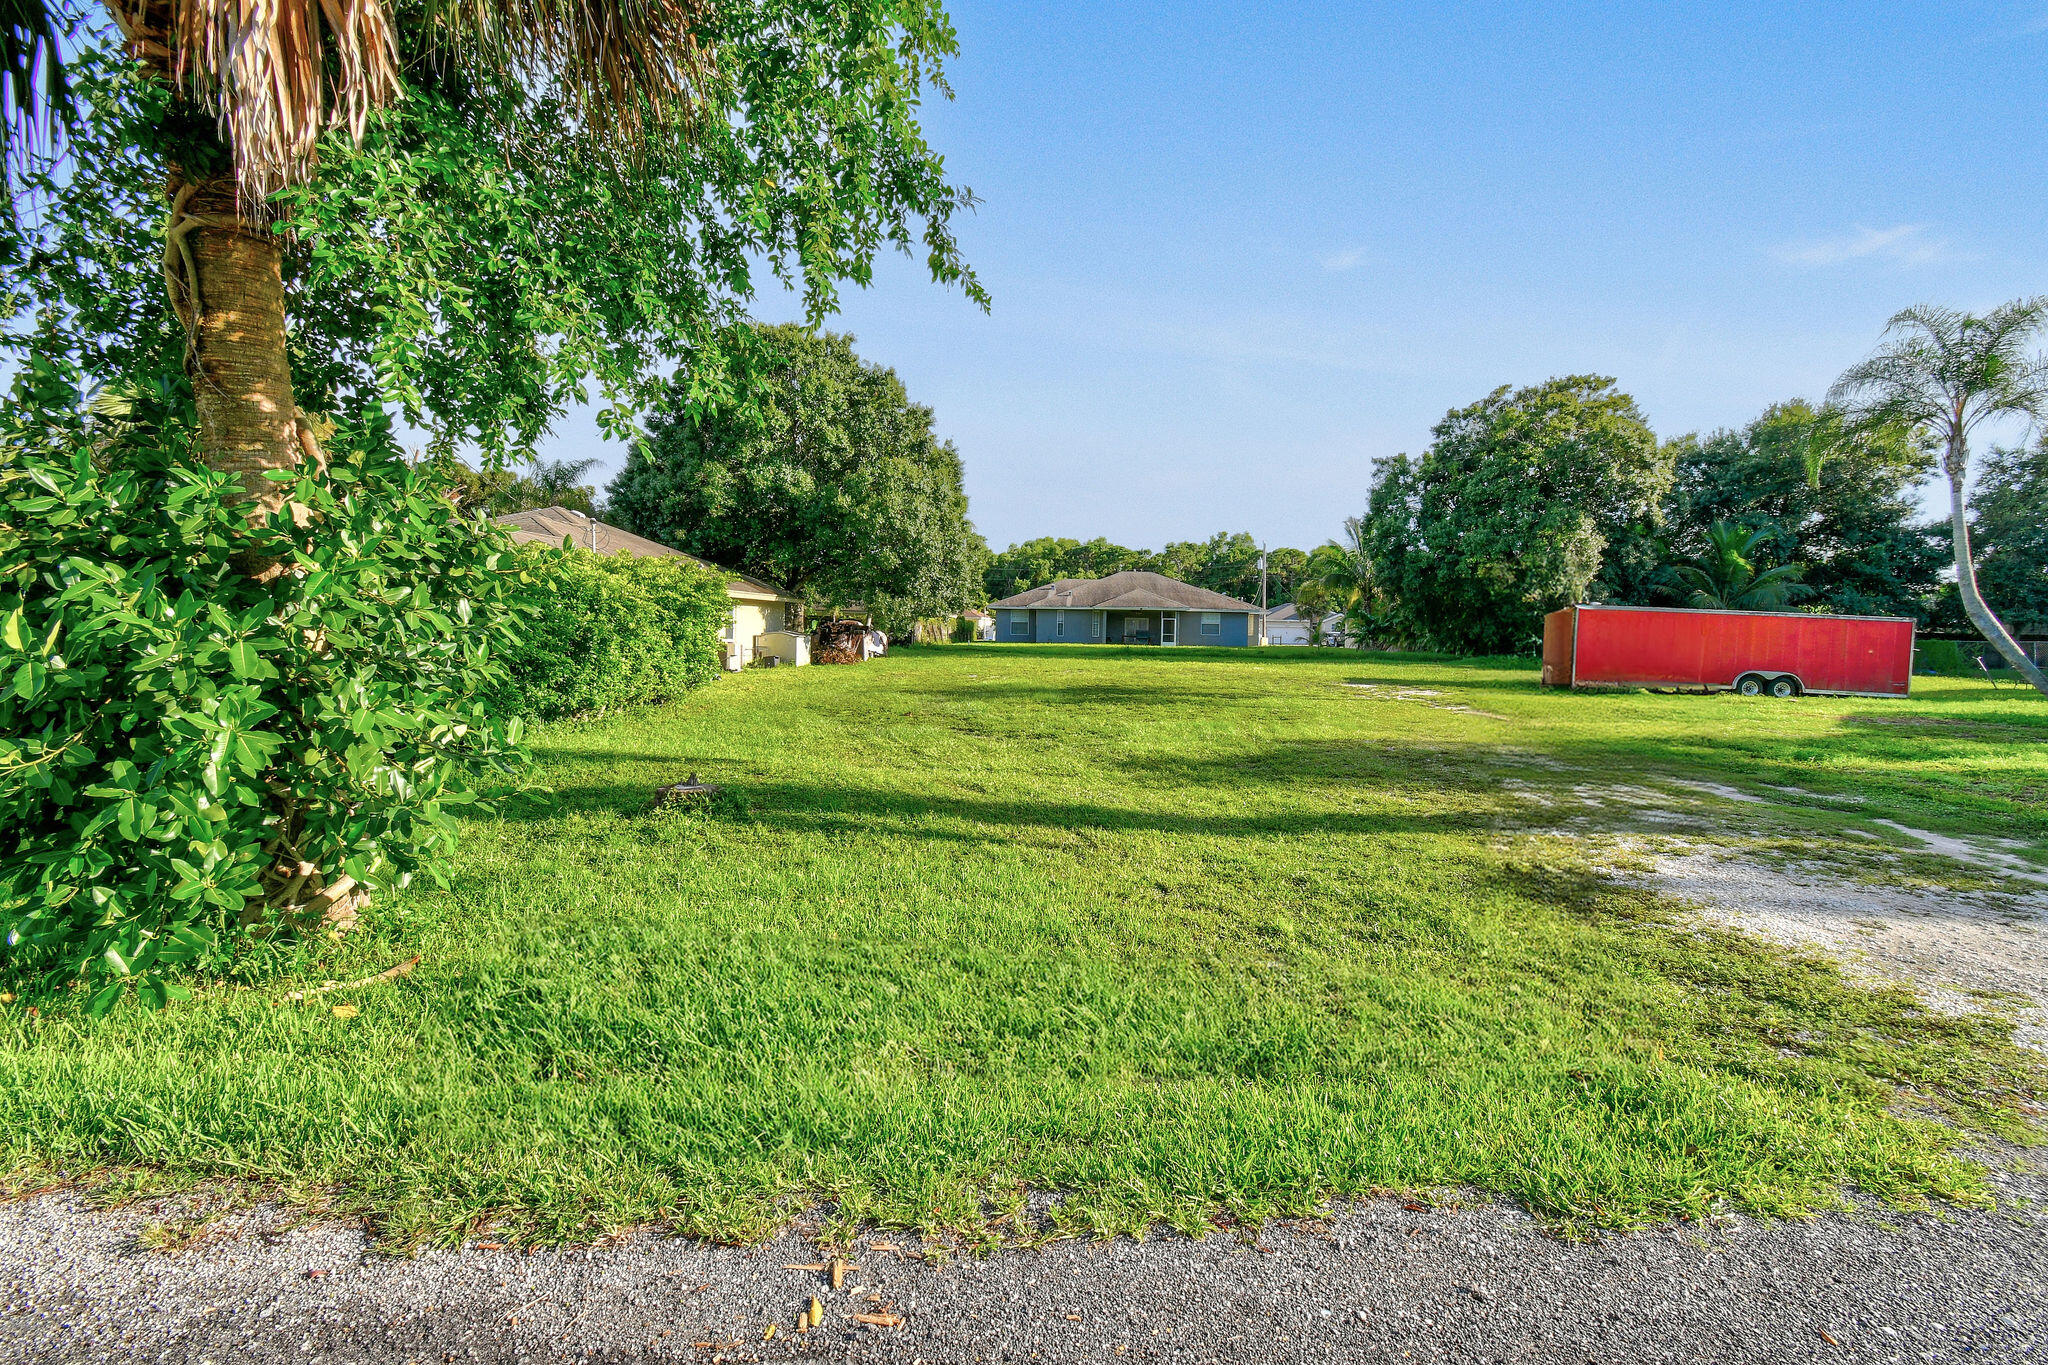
(275, 77)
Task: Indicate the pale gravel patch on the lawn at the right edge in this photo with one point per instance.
(1947, 944)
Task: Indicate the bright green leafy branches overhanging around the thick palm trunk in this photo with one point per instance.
(486, 257)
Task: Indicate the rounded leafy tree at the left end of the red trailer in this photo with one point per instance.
(1508, 513)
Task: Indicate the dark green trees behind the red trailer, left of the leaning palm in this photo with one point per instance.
(1836, 500)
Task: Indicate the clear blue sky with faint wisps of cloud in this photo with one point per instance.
(1242, 251)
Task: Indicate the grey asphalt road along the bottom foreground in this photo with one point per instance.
(1381, 1282)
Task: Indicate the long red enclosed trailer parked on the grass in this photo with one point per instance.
(1783, 654)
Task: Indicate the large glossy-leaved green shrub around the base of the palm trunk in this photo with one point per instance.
(179, 734)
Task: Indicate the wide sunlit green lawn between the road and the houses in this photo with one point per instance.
(1183, 934)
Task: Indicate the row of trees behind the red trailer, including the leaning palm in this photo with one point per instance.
(1551, 494)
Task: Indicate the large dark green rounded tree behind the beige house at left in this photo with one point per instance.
(828, 482)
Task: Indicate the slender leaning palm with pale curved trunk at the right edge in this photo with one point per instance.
(1949, 373)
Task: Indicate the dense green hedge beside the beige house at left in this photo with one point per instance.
(613, 631)
